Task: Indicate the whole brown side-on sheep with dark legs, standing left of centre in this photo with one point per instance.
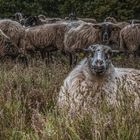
(45, 38)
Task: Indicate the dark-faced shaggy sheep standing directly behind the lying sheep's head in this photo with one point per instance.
(88, 33)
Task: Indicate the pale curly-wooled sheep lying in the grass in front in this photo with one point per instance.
(96, 79)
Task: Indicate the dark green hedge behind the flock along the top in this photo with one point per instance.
(99, 9)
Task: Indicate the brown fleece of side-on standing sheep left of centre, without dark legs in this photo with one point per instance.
(45, 35)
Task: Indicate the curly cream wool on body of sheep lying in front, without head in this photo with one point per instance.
(83, 91)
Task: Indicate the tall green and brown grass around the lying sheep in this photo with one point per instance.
(28, 109)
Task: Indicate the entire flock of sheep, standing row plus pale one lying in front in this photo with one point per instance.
(95, 77)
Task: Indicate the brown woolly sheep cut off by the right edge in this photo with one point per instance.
(130, 38)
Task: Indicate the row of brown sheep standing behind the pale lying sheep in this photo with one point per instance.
(26, 36)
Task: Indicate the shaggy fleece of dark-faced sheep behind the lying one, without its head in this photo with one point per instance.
(80, 37)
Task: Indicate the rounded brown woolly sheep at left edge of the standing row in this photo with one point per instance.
(15, 32)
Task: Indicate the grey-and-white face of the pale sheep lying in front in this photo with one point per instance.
(99, 60)
